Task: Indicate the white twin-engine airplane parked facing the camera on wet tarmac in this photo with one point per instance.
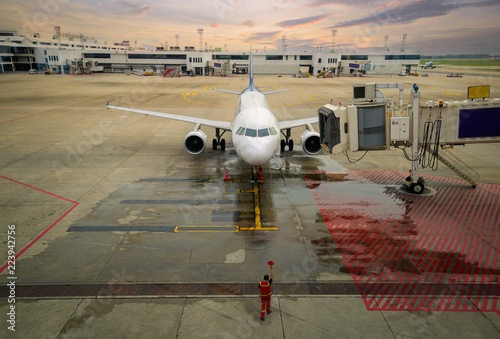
(255, 130)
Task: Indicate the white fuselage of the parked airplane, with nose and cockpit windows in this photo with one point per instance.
(255, 130)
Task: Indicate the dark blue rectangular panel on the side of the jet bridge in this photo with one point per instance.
(479, 122)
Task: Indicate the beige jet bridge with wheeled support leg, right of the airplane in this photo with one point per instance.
(367, 125)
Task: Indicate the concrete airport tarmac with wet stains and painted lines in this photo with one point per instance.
(120, 233)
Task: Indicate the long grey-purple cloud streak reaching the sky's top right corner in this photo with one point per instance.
(408, 12)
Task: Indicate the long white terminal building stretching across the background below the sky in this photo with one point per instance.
(77, 54)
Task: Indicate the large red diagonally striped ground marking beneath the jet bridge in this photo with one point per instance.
(447, 239)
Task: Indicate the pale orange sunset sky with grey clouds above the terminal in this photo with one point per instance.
(432, 26)
